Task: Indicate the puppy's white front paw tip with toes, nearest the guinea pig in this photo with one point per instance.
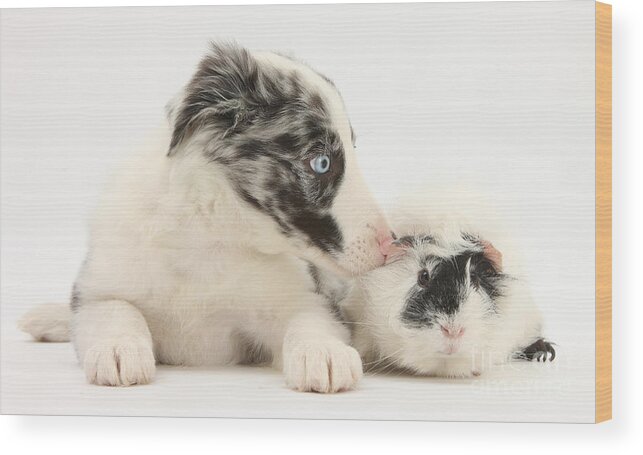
(324, 367)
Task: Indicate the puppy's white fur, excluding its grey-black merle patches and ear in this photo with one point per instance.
(181, 271)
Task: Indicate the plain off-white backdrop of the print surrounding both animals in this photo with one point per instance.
(500, 96)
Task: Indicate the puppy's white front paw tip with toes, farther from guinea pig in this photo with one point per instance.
(121, 362)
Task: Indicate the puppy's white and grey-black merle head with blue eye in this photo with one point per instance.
(278, 133)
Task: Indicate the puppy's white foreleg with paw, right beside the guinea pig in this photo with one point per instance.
(316, 354)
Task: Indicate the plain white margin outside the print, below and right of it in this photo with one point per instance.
(325, 436)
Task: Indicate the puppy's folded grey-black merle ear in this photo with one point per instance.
(220, 96)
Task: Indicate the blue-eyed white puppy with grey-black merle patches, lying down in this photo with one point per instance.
(201, 252)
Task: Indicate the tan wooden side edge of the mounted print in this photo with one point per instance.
(603, 212)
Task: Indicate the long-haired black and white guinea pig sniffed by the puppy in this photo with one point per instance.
(442, 305)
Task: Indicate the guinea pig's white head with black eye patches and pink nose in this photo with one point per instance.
(434, 301)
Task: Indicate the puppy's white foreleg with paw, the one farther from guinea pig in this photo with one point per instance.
(114, 344)
